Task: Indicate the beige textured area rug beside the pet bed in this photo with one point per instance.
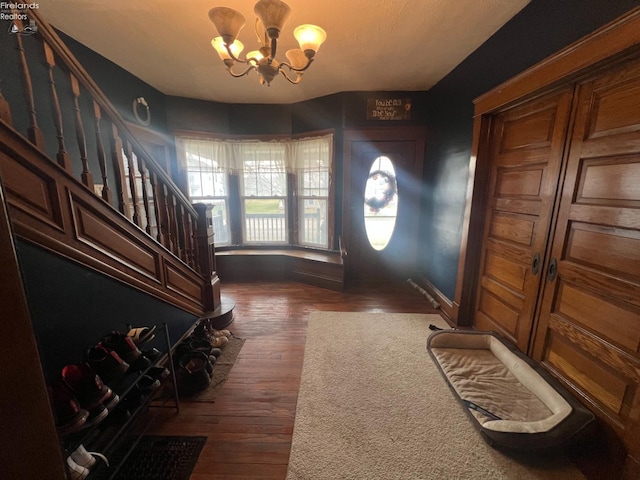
(372, 405)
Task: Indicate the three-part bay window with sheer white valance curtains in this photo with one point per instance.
(276, 192)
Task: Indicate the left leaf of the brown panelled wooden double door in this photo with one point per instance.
(526, 148)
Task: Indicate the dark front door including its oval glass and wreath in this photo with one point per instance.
(383, 170)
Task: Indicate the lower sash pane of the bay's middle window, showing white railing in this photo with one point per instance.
(265, 220)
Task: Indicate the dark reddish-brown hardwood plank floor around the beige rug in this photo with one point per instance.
(250, 425)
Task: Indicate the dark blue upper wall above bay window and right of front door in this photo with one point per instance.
(542, 28)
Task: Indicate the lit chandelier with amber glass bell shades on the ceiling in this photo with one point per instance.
(272, 15)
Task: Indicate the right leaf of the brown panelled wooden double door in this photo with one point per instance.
(589, 328)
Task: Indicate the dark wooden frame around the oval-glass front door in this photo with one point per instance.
(417, 135)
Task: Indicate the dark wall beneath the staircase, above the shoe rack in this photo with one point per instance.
(72, 308)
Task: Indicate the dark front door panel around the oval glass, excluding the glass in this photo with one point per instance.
(365, 264)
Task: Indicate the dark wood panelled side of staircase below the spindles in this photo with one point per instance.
(53, 210)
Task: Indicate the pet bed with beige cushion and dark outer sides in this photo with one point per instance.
(514, 403)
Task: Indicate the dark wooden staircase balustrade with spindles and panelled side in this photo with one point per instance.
(81, 185)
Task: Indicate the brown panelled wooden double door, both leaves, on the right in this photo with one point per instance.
(559, 271)
